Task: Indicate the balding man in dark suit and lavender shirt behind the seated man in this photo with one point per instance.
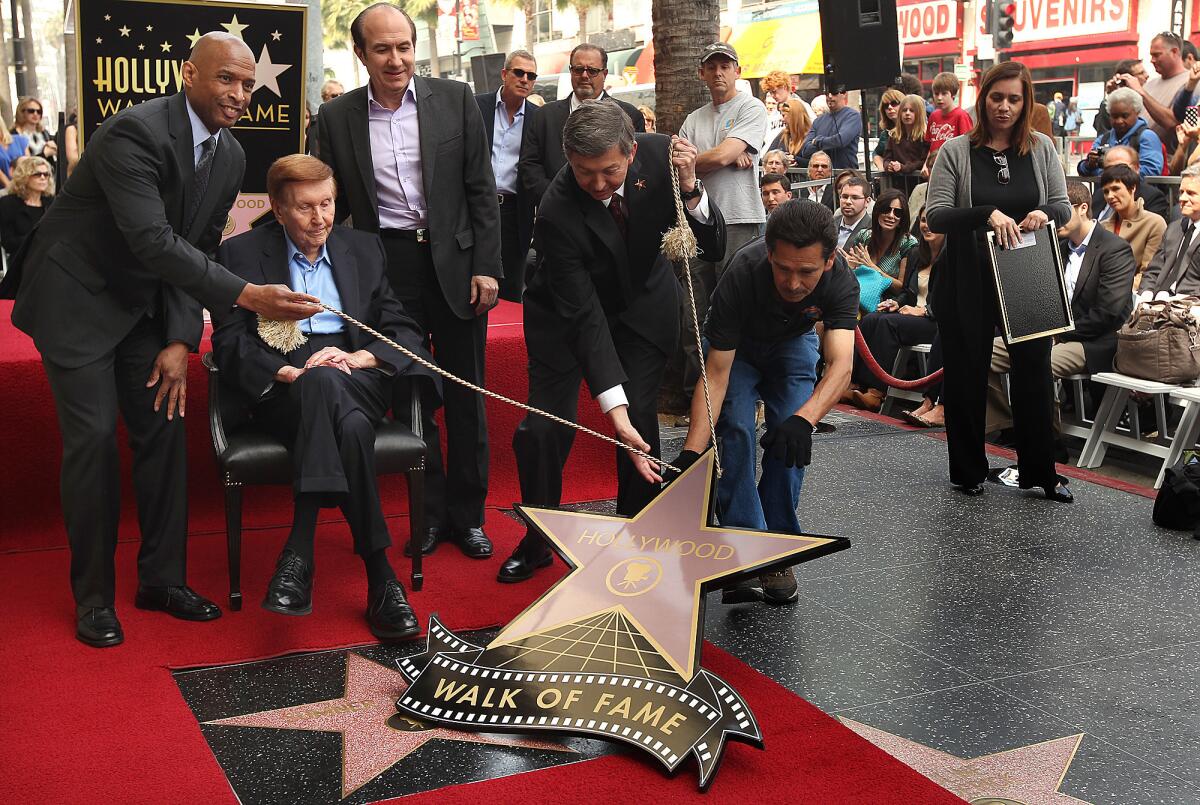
(392, 145)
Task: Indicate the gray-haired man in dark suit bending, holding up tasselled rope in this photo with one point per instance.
(603, 304)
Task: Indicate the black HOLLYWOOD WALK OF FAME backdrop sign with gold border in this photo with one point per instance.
(134, 51)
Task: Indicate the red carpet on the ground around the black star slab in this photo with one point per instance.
(111, 726)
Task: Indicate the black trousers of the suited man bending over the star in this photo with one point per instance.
(543, 447)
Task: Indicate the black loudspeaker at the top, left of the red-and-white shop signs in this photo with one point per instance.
(861, 43)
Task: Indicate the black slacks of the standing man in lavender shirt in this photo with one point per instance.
(455, 489)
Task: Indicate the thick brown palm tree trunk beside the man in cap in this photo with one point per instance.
(682, 29)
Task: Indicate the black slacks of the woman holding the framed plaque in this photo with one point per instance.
(967, 349)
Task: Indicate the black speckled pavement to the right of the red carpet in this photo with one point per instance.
(975, 627)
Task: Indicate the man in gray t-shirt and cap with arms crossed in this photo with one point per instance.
(729, 133)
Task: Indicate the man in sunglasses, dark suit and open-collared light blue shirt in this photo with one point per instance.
(507, 117)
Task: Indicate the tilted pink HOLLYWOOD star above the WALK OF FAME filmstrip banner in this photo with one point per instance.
(651, 568)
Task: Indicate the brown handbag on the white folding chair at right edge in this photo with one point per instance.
(1161, 343)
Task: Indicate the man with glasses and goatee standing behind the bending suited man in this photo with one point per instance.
(542, 153)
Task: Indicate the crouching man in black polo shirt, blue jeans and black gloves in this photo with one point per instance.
(761, 346)
